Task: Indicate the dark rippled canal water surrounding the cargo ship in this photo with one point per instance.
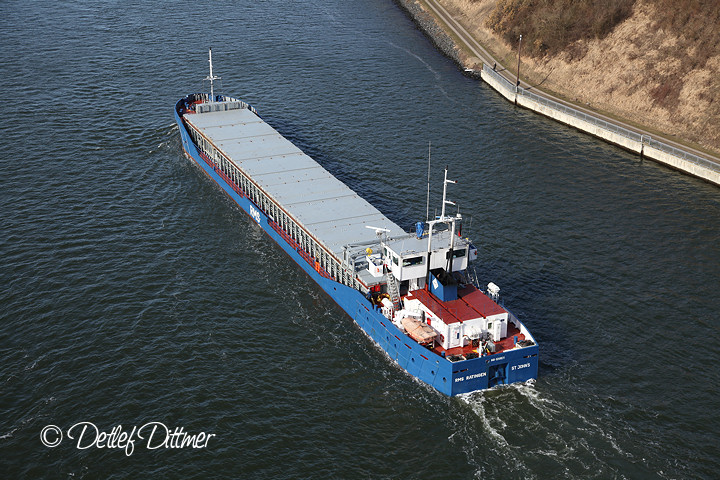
(134, 291)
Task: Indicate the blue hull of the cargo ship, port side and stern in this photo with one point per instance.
(450, 378)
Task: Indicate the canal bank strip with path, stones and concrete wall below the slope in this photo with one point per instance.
(445, 33)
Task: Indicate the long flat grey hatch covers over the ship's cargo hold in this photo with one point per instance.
(327, 208)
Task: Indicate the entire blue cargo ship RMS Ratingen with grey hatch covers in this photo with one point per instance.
(413, 293)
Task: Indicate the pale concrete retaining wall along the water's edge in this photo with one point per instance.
(633, 141)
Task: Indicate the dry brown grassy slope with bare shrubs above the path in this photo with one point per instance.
(653, 62)
